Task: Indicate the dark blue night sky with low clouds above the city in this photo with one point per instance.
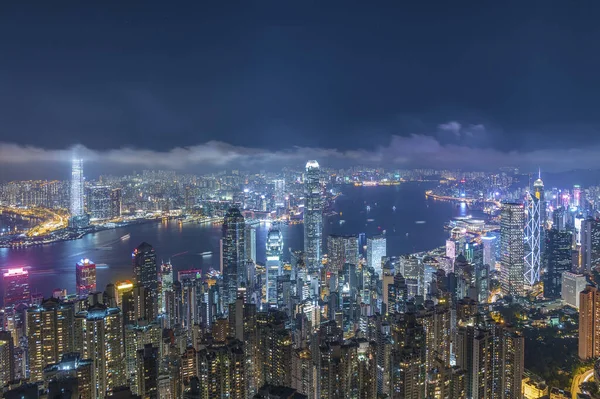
(191, 85)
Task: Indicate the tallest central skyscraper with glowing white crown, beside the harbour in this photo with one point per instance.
(313, 216)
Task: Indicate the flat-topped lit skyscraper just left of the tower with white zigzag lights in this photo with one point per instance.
(512, 249)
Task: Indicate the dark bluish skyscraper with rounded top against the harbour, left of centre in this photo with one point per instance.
(234, 252)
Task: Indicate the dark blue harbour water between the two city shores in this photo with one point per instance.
(415, 225)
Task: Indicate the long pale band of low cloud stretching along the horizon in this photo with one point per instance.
(417, 150)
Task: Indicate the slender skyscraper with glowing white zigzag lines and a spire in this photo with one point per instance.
(533, 231)
